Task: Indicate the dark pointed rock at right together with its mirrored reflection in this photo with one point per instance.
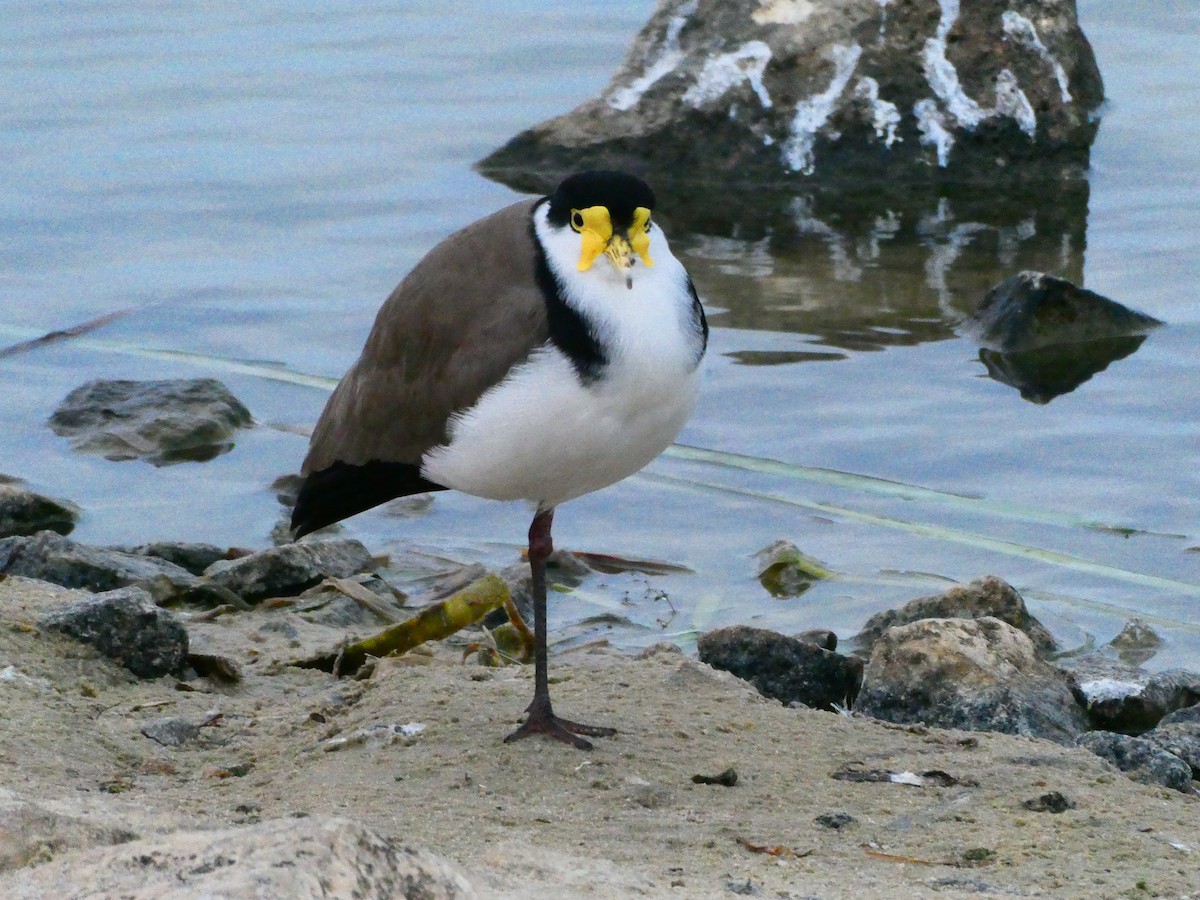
(1047, 337)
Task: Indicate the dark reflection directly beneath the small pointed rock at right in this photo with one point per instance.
(1048, 373)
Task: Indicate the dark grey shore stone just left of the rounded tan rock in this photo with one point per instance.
(783, 668)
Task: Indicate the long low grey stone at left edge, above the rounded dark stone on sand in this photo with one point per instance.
(51, 557)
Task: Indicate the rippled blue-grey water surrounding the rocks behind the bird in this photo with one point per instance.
(250, 183)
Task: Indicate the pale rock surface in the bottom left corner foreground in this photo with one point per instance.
(297, 859)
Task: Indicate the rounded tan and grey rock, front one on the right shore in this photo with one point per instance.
(977, 675)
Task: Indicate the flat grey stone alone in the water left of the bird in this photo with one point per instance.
(165, 423)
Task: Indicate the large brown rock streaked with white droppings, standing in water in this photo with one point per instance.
(820, 91)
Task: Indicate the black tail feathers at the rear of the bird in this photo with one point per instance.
(343, 490)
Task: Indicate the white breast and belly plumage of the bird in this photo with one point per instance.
(542, 435)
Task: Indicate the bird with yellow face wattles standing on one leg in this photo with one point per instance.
(548, 351)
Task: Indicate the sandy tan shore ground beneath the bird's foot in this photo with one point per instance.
(542, 820)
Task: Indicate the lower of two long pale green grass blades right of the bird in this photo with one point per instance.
(953, 536)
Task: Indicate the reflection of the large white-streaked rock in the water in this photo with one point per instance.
(865, 273)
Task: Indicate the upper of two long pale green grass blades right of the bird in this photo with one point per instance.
(871, 484)
